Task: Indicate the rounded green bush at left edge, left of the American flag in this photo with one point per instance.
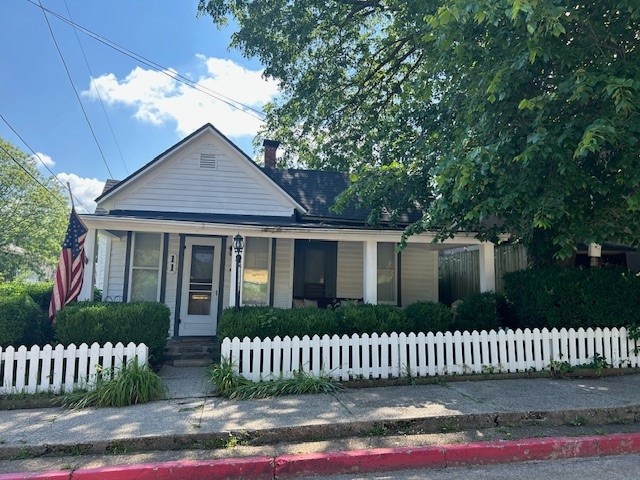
(22, 322)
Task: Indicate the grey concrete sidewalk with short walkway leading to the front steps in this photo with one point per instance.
(194, 418)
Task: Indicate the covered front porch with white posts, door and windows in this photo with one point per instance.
(192, 266)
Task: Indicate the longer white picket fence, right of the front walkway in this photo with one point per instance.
(395, 355)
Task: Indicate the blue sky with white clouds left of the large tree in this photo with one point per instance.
(147, 110)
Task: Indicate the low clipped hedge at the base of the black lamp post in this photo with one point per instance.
(265, 322)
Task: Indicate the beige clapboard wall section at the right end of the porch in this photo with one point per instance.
(419, 275)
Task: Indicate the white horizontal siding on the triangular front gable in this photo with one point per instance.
(180, 184)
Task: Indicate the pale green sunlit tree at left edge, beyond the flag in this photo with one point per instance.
(32, 218)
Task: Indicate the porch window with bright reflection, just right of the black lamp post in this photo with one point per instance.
(255, 276)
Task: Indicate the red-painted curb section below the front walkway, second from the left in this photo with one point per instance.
(260, 468)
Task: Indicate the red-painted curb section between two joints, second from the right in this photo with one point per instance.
(359, 461)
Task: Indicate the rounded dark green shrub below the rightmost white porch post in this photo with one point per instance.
(480, 311)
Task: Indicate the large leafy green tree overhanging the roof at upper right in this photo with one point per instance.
(494, 116)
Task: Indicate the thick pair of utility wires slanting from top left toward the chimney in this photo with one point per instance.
(255, 113)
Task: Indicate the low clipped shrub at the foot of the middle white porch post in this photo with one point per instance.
(371, 318)
